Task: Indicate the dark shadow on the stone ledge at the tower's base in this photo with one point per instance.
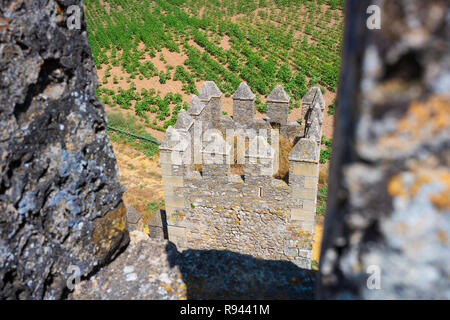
(223, 274)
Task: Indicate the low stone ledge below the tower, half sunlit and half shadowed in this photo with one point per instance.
(154, 269)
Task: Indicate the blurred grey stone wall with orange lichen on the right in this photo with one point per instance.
(388, 206)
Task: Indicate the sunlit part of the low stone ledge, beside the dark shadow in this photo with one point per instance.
(142, 271)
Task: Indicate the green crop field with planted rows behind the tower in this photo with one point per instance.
(293, 43)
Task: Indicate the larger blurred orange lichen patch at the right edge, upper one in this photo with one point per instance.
(421, 122)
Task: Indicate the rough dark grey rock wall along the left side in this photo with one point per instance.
(60, 197)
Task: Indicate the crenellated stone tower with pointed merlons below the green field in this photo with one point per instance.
(210, 207)
